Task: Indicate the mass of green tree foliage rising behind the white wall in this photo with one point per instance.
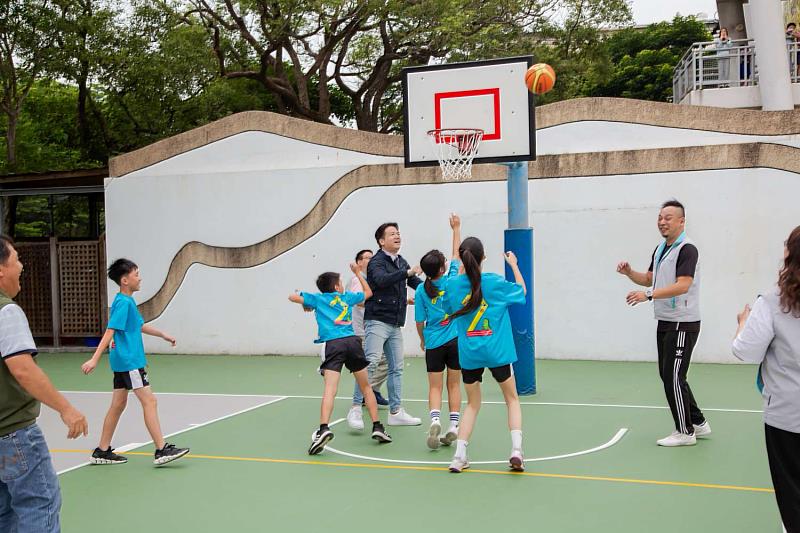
(155, 68)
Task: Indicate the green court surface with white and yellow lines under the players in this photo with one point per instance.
(250, 471)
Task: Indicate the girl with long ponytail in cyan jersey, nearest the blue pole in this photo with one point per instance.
(478, 304)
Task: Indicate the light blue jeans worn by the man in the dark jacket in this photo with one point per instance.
(381, 338)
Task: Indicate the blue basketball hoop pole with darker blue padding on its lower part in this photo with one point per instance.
(519, 239)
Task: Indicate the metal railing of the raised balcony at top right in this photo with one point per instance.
(707, 65)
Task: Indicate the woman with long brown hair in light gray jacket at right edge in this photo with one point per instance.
(770, 334)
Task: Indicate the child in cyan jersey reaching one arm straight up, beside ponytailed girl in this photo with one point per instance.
(439, 339)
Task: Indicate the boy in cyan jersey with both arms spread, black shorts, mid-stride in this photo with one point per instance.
(333, 308)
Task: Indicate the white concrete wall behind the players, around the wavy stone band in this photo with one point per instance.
(583, 228)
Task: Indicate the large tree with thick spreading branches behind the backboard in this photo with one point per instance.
(299, 50)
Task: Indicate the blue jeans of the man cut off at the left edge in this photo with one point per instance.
(30, 498)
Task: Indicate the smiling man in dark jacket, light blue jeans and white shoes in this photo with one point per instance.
(388, 274)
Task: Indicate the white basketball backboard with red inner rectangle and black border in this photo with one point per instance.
(490, 95)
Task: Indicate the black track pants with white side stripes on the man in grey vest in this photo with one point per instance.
(674, 354)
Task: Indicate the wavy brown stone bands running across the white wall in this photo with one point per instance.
(695, 158)
